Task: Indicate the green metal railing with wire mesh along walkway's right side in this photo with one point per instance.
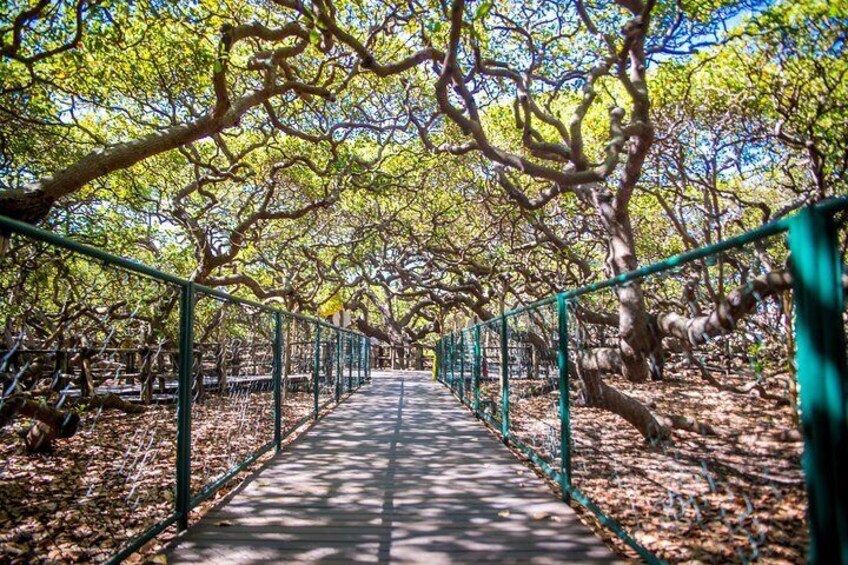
(530, 373)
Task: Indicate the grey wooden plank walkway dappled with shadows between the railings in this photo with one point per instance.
(399, 473)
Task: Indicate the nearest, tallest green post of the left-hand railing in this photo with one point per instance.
(184, 375)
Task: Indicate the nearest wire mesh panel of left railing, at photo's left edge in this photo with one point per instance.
(87, 444)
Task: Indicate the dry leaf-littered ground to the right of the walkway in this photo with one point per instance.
(737, 495)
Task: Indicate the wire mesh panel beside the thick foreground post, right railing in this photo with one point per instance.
(715, 455)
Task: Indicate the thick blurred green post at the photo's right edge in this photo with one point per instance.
(822, 370)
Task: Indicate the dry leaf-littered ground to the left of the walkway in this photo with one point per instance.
(116, 477)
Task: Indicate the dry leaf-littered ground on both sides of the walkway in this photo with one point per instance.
(734, 496)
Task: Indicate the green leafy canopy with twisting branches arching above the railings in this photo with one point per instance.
(374, 179)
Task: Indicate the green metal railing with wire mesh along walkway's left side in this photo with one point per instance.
(221, 380)
